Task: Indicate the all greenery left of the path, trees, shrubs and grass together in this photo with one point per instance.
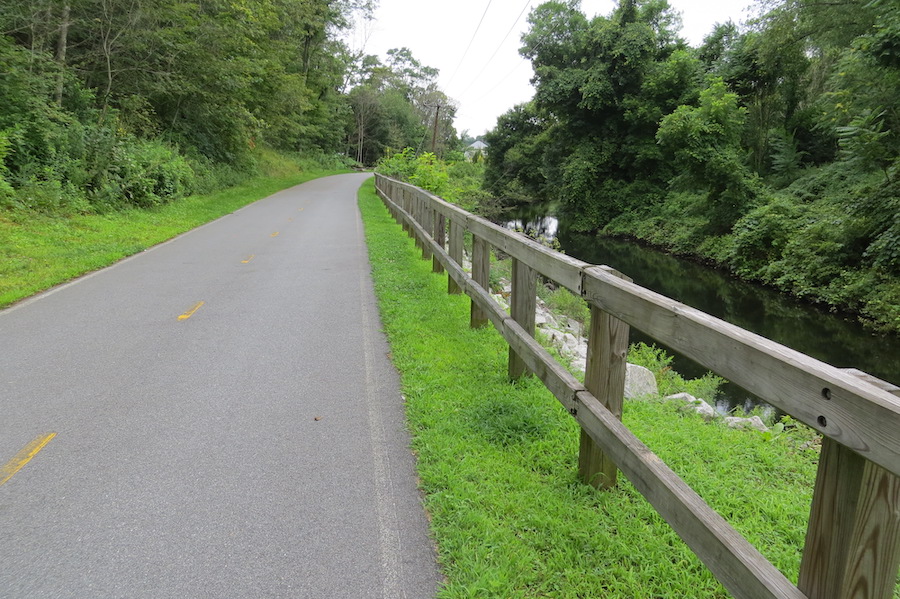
(123, 124)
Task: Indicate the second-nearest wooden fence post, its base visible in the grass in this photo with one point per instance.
(604, 378)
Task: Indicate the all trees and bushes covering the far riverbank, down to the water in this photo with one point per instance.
(772, 149)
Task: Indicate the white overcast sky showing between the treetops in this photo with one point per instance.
(437, 33)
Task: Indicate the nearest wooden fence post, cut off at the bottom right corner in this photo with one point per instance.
(852, 546)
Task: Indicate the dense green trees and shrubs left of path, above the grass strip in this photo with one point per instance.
(105, 99)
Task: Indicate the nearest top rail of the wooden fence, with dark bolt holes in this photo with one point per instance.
(853, 412)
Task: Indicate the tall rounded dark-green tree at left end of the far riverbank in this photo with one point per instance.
(602, 86)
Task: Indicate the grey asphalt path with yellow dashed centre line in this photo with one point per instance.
(252, 445)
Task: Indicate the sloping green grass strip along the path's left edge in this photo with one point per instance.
(38, 250)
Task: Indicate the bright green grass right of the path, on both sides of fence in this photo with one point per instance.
(497, 461)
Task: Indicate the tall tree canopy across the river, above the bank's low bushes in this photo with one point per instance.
(812, 82)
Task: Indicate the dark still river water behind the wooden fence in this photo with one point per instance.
(833, 338)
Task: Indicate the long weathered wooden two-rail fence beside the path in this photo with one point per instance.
(852, 548)
